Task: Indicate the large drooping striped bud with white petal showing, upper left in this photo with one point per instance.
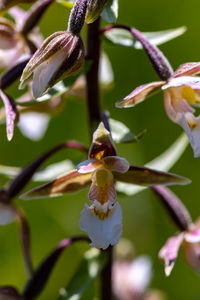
(61, 55)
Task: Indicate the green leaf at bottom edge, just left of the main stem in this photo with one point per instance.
(90, 267)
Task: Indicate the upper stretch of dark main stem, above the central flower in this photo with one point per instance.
(92, 76)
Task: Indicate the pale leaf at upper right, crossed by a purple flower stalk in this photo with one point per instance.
(124, 38)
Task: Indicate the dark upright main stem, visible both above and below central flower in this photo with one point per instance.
(95, 116)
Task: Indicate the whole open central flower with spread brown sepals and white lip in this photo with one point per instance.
(103, 219)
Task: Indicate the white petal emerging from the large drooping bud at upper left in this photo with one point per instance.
(45, 71)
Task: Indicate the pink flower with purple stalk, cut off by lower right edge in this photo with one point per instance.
(188, 237)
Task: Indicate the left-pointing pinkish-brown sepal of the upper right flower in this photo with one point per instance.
(140, 94)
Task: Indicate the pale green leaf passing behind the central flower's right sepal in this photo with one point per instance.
(164, 162)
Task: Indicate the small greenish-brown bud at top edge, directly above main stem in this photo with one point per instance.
(95, 7)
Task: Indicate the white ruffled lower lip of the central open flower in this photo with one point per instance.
(102, 232)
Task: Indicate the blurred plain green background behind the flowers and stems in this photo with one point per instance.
(145, 222)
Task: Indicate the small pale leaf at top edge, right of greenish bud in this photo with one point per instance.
(110, 12)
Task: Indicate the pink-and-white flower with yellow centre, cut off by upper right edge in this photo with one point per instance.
(181, 91)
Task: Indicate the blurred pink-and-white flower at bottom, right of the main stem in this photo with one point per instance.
(131, 276)
